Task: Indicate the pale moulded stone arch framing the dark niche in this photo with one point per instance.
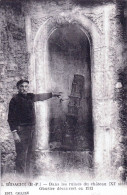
(39, 67)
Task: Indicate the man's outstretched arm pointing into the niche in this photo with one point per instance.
(45, 96)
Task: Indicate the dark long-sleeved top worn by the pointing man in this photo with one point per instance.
(22, 110)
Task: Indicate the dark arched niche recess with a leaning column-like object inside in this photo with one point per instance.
(70, 71)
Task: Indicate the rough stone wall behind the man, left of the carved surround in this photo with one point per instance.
(14, 66)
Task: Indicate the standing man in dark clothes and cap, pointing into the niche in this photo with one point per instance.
(21, 119)
